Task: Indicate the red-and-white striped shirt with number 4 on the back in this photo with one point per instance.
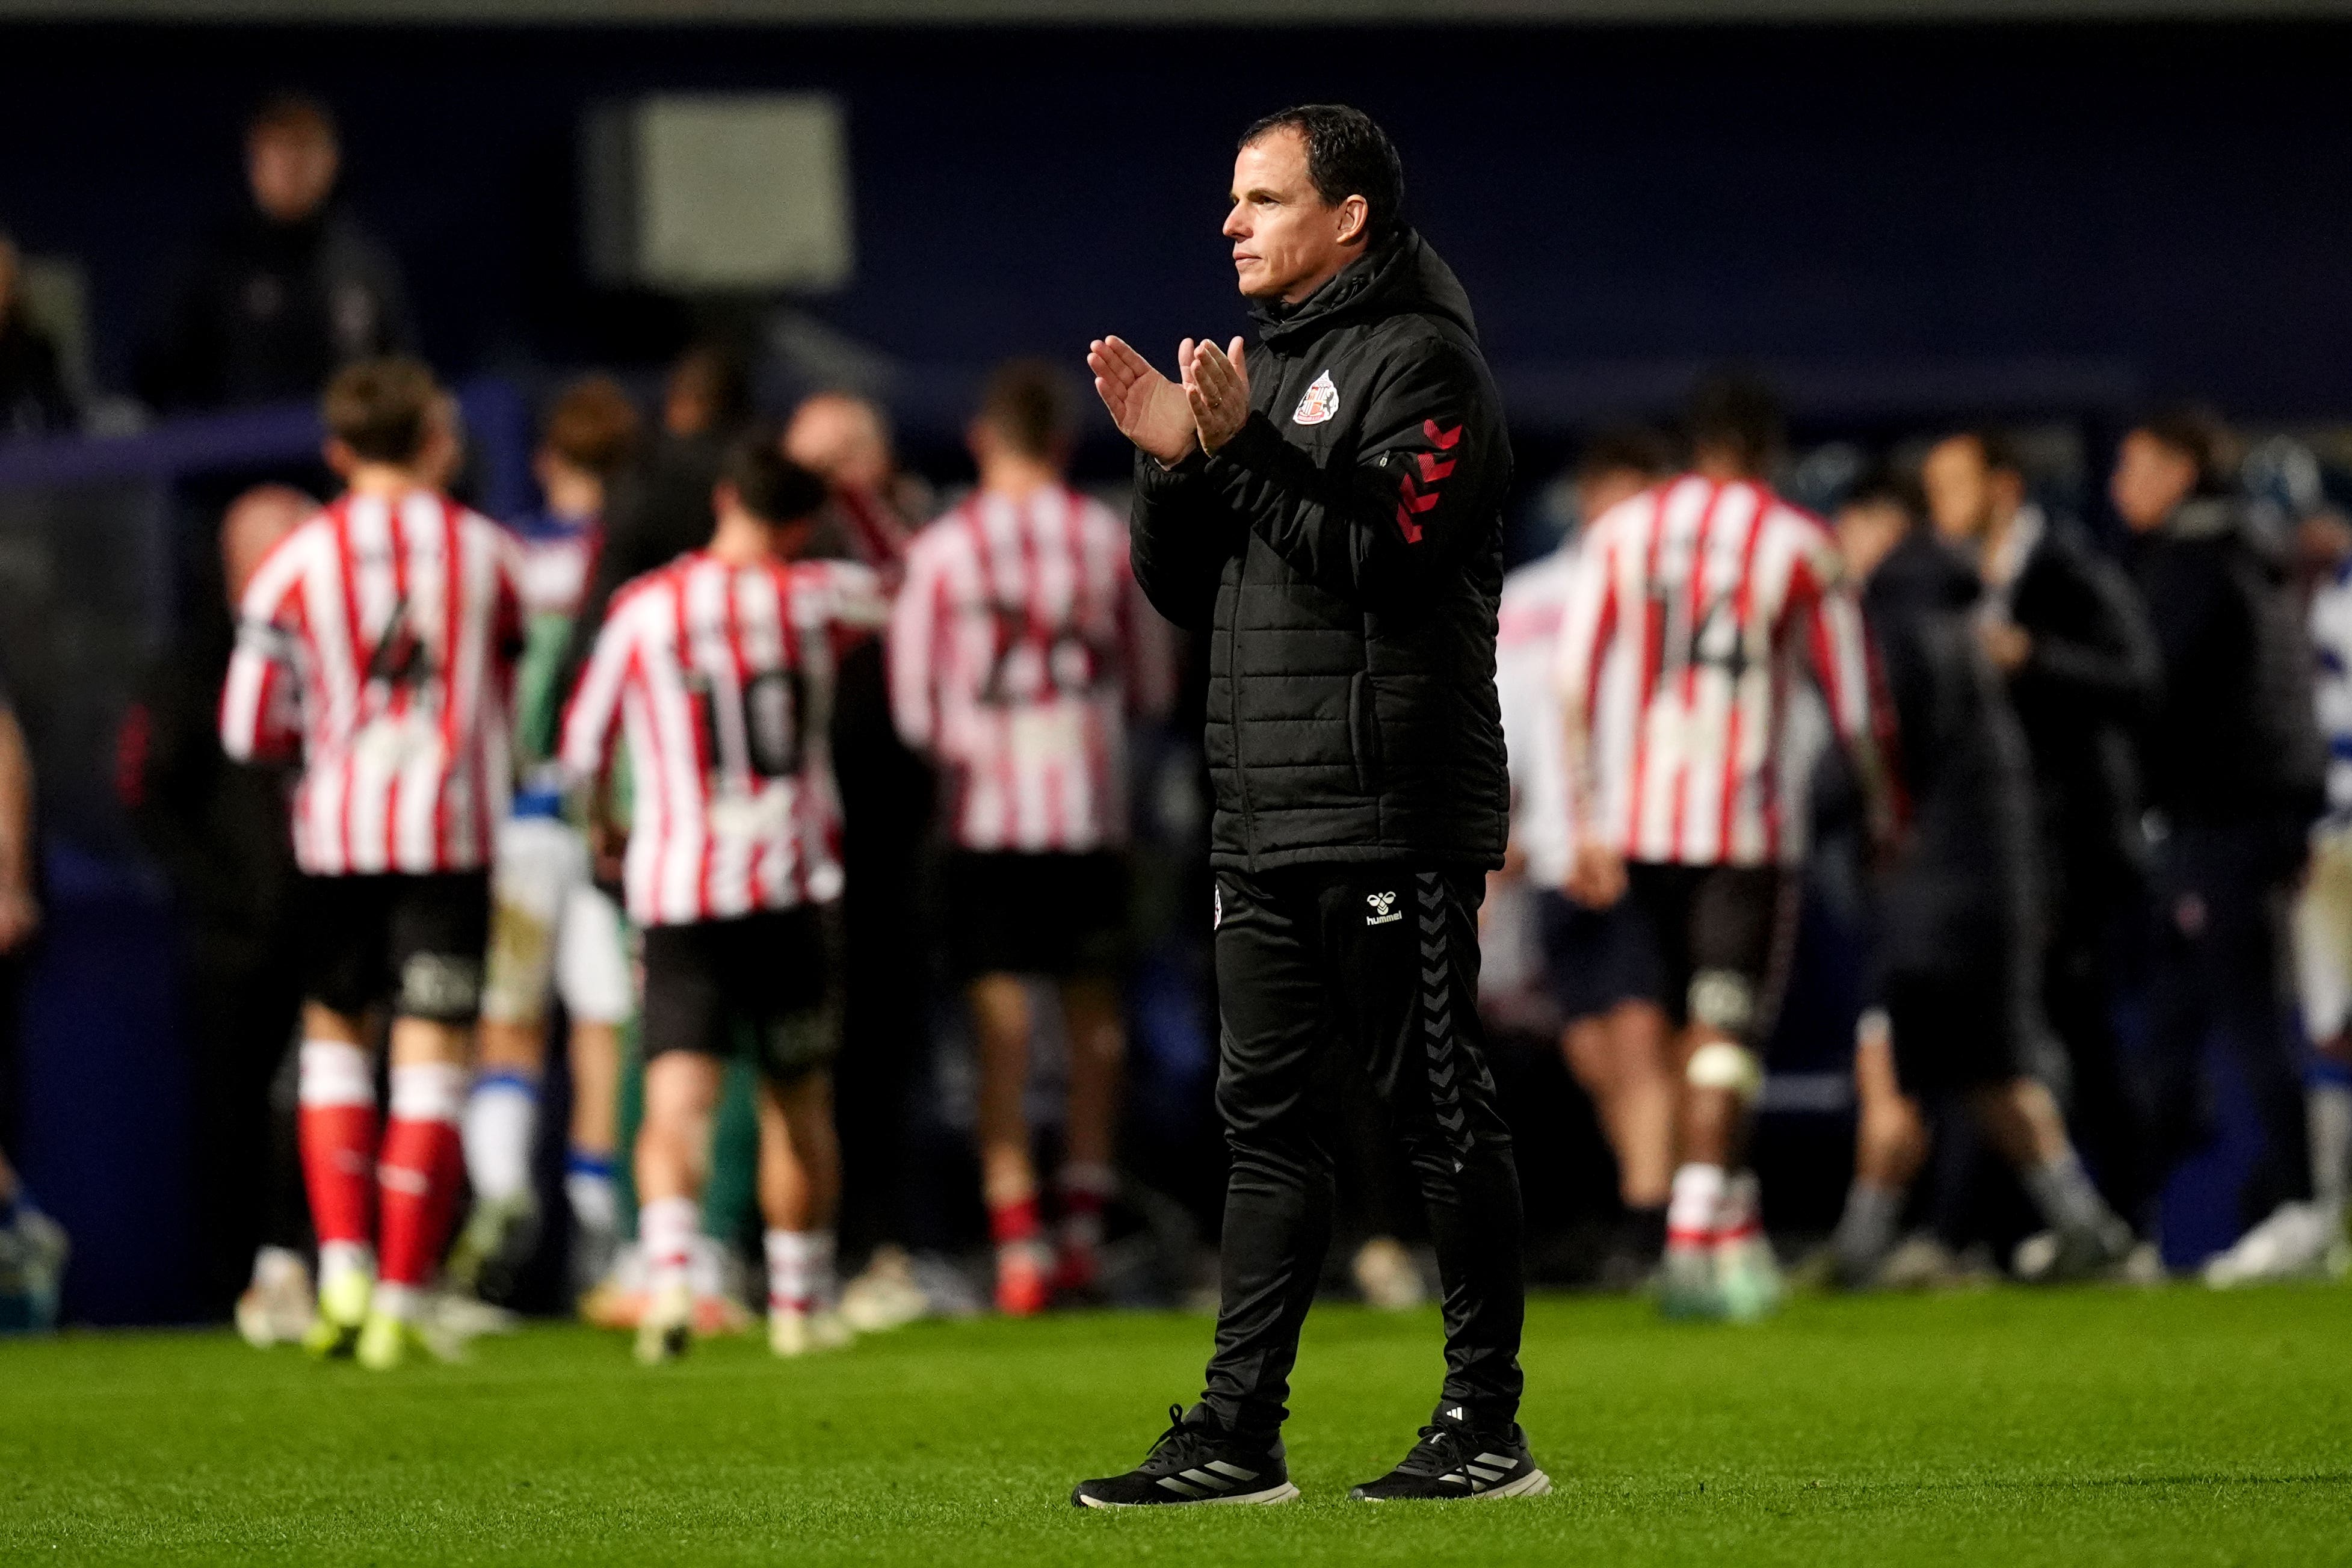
(392, 624)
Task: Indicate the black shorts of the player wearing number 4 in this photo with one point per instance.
(408, 939)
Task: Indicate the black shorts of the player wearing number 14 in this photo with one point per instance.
(1723, 942)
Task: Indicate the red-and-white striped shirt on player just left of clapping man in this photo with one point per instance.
(1020, 648)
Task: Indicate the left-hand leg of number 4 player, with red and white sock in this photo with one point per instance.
(345, 930)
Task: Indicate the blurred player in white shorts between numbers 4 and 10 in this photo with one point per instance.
(554, 932)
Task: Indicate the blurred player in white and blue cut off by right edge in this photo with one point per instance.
(2306, 1240)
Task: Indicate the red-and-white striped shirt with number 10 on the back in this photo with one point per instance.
(723, 683)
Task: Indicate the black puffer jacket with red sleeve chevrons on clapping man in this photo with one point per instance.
(1347, 551)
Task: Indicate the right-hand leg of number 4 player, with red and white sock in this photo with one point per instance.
(439, 930)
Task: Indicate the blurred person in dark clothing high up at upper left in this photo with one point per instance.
(283, 293)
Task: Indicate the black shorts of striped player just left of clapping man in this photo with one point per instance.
(1036, 916)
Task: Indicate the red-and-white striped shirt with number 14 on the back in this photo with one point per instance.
(1709, 596)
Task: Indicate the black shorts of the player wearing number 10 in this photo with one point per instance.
(761, 981)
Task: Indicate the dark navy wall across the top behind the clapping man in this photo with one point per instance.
(2118, 208)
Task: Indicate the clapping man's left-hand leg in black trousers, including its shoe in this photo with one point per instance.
(1276, 1007)
